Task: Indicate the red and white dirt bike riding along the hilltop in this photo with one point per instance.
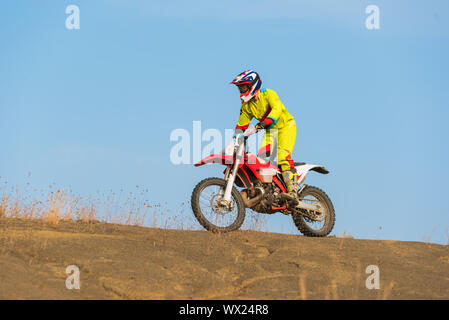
(220, 207)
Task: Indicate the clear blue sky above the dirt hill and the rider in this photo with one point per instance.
(94, 108)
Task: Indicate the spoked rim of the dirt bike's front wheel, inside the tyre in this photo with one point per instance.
(213, 211)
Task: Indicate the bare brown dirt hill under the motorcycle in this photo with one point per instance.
(126, 262)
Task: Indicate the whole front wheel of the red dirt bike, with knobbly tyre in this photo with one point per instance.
(210, 213)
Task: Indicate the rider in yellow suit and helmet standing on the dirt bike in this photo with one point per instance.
(265, 105)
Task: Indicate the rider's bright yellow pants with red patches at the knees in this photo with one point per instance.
(286, 138)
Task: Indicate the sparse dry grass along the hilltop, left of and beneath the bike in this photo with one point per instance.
(56, 204)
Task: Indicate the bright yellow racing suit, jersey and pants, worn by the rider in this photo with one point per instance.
(268, 109)
